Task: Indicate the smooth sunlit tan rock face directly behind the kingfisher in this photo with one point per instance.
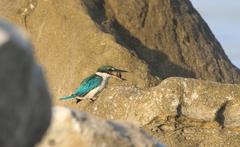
(67, 40)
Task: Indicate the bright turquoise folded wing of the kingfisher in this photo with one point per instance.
(88, 84)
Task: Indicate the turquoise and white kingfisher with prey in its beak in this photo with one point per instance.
(91, 86)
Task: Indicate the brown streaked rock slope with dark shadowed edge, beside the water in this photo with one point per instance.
(169, 35)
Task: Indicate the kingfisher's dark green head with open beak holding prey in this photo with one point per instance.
(111, 71)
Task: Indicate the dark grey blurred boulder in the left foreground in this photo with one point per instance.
(24, 99)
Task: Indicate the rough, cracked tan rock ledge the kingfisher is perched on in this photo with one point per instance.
(179, 111)
